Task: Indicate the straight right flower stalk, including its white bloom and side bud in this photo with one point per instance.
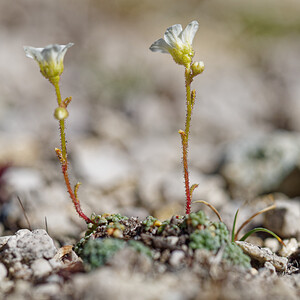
(178, 43)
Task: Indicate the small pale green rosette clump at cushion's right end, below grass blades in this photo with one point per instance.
(234, 254)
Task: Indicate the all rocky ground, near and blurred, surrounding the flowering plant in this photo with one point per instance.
(124, 147)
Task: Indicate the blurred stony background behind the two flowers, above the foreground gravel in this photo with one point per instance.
(128, 105)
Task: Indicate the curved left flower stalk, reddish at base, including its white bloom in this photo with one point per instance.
(50, 60)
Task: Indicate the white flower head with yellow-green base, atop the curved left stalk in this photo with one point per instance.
(50, 58)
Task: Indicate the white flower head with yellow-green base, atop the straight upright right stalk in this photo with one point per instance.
(178, 42)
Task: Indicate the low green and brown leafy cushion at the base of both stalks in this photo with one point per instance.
(113, 232)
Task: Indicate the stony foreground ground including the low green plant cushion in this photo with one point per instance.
(147, 260)
